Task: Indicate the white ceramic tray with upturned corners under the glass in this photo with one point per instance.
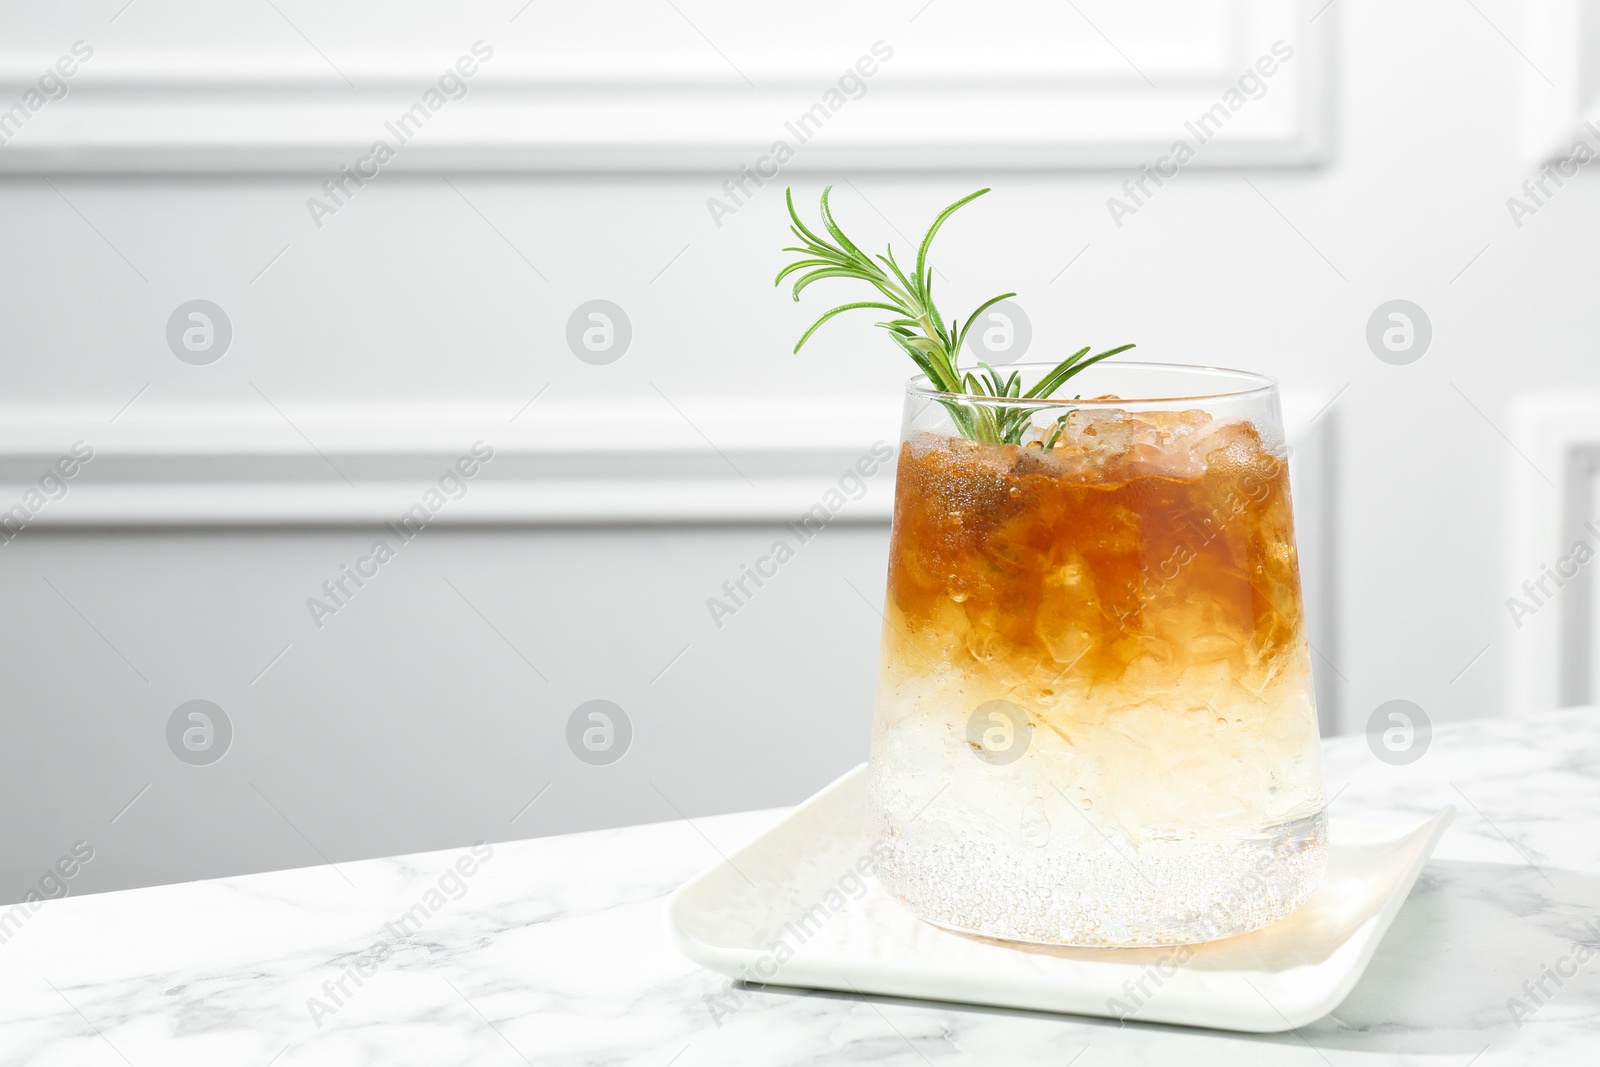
(793, 909)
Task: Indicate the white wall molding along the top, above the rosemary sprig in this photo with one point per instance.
(604, 105)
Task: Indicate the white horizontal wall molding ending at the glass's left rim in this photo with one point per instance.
(558, 463)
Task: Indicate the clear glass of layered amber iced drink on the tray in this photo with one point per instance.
(1095, 719)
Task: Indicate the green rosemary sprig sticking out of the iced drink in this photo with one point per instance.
(918, 327)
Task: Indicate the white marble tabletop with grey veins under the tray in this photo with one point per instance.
(554, 953)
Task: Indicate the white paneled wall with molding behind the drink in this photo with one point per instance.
(436, 306)
